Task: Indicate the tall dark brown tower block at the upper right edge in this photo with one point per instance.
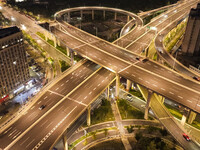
(191, 41)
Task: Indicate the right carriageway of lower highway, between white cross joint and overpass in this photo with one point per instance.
(88, 91)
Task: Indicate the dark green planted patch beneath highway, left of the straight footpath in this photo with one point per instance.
(103, 113)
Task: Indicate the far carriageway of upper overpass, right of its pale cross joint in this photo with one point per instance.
(165, 72)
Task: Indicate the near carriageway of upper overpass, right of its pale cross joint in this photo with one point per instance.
(187, 96)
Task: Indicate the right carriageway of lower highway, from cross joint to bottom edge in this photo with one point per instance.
(63, 115)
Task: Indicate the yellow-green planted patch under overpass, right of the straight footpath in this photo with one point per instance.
(127, 111)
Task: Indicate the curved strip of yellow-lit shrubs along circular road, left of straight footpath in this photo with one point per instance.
(91, 134)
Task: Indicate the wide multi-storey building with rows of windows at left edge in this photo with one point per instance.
(13, 62)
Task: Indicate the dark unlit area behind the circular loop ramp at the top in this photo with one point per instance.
(55, 5)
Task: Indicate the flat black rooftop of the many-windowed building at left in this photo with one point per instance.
(8, 31)
